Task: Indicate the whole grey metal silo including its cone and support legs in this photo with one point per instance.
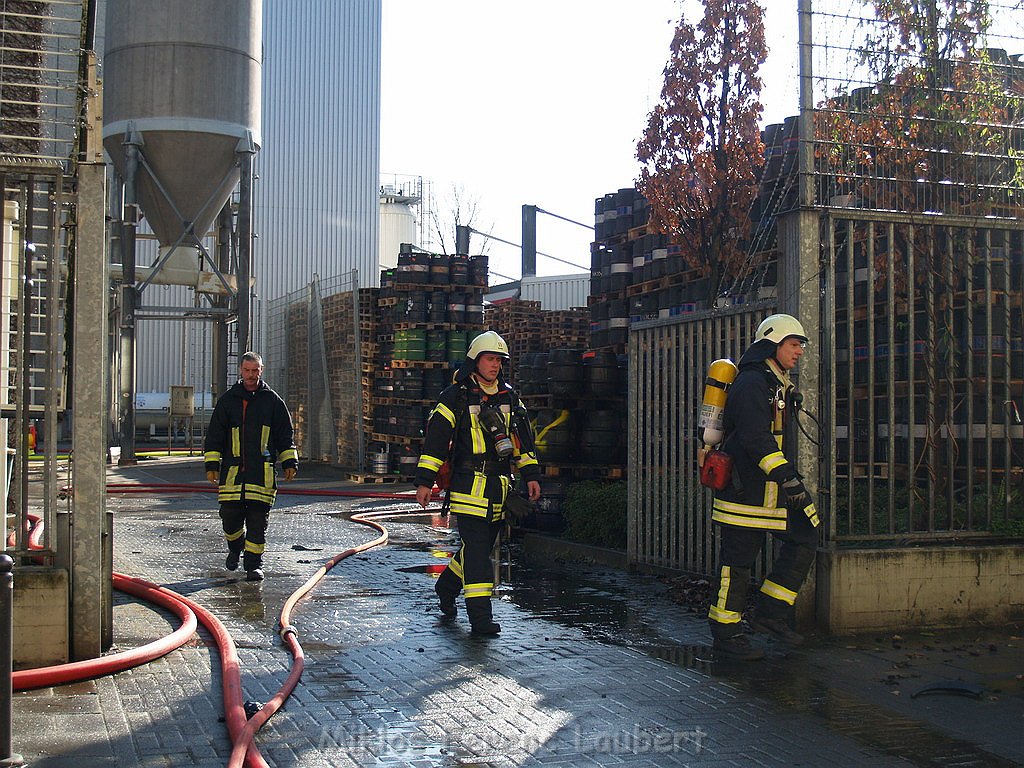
(182, 124)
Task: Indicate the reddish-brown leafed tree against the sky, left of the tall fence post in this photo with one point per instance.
(702, 151)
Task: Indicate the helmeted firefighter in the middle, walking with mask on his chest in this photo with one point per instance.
(481, 428)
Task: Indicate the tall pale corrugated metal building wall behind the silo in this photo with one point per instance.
(318, 192)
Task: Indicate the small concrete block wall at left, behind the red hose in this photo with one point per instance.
(40, 617)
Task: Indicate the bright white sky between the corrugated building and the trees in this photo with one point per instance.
(536, 103)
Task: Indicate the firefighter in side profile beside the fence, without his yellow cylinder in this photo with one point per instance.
(765, 494)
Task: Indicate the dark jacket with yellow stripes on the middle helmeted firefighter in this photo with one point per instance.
(454, 434)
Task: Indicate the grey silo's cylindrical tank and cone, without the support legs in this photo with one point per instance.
(182, 81)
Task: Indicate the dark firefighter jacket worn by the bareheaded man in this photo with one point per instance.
(249, 432)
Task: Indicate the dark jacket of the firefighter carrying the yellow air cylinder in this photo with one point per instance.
(756, 423)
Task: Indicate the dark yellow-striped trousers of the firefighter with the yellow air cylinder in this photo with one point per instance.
(738, 553)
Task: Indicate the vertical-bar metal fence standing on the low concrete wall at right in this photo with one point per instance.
(924, 365)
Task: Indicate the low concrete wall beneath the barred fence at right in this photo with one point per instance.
(871, 590)
